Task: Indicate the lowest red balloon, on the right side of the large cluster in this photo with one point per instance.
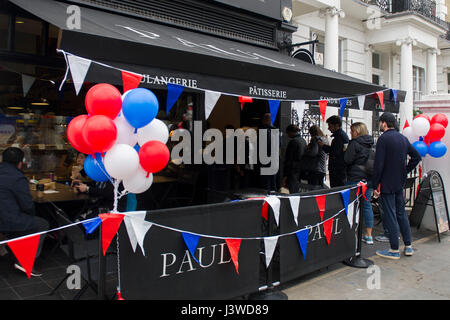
(154, 156)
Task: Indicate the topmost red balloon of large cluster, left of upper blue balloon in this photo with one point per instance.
(103, 99)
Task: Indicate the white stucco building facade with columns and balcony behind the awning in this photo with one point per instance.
(400, 44)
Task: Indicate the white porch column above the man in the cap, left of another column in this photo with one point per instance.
(406, 79)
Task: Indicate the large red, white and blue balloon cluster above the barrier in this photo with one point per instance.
(121, 136)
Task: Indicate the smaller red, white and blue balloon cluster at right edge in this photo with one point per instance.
(425, 134)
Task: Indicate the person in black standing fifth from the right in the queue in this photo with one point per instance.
(292, 160)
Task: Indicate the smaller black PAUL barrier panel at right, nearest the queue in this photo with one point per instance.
(319, 253)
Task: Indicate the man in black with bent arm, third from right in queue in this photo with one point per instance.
(336, 163)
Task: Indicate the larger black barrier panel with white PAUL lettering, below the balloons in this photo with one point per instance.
(168, 271)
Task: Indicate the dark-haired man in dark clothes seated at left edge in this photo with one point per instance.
(17, 214)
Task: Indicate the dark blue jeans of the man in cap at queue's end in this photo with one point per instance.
(395, 218)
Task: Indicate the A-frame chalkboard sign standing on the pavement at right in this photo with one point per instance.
(432, 188)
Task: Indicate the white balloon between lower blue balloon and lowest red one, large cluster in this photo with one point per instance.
(121, 161)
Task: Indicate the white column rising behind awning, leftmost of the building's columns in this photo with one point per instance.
(331, 54)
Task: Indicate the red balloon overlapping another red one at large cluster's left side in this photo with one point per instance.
(100, 132)
